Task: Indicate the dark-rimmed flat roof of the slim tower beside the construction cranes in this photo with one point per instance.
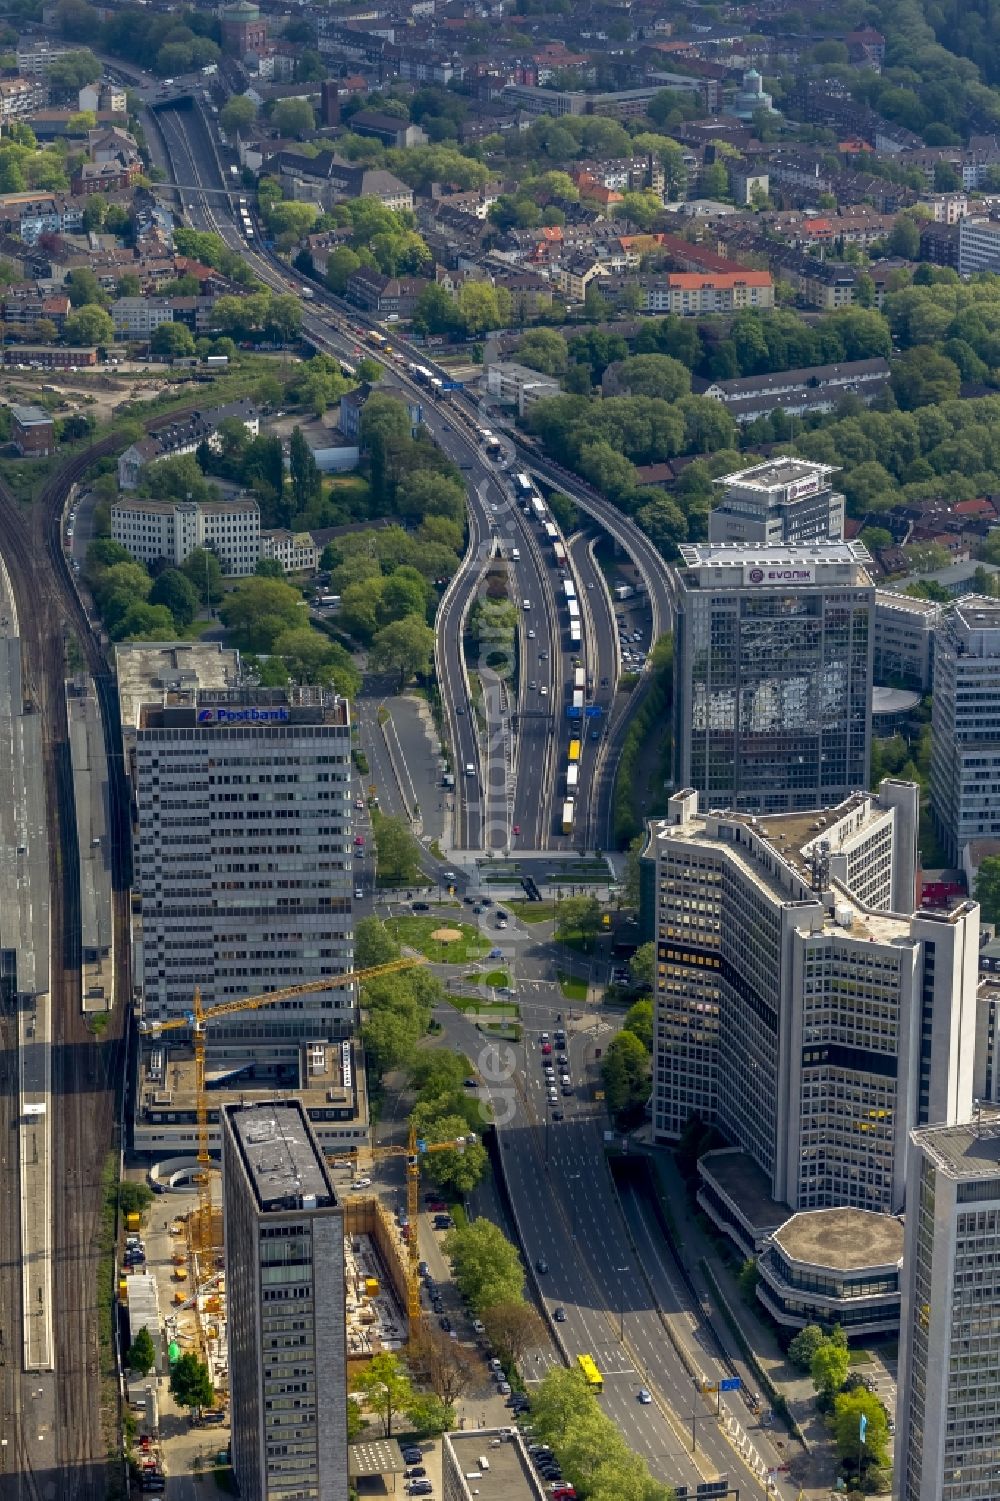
(282, 1157)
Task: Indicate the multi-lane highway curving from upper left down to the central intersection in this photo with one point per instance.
(516, 745)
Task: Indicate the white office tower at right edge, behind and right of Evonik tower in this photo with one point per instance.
(966, 724)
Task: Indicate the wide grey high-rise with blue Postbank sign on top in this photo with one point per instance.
(242, 853)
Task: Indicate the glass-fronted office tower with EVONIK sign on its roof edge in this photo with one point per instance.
(774, 675)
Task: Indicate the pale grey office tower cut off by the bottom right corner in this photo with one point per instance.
(948, 1419)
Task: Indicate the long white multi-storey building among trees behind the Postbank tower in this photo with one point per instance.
(154, 531)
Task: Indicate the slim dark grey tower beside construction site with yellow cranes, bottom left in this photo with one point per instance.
(285, 1268)
